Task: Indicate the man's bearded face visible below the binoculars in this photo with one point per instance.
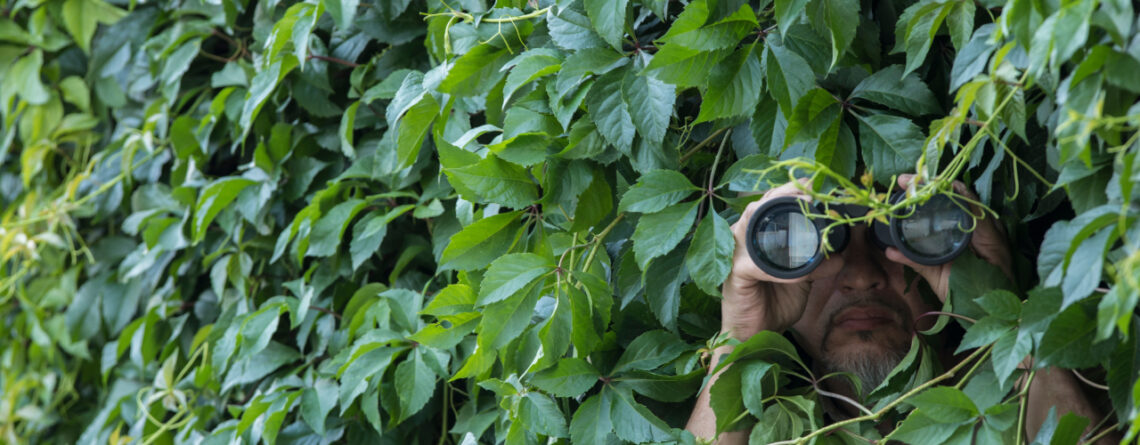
(861, 318)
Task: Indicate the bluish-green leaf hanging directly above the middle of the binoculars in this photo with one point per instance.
(894, 145)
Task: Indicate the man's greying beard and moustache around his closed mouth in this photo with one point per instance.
(882, 351)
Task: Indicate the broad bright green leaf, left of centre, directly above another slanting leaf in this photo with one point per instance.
(498, 182)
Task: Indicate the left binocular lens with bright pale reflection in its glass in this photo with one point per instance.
(788, 240)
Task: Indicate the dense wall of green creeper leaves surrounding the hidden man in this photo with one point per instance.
(463, 222)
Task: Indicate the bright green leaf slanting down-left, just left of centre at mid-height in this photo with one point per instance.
(478, 245)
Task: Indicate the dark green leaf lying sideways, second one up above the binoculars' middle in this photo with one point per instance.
(907, 94)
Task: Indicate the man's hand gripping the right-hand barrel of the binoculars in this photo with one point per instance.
(989, 244)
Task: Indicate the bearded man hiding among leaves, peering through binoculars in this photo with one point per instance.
(856, 313)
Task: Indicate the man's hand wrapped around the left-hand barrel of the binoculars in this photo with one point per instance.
(754, 301)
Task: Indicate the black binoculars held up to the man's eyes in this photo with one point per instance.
(786, 244)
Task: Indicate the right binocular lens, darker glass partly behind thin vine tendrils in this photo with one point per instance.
(937, 230)
